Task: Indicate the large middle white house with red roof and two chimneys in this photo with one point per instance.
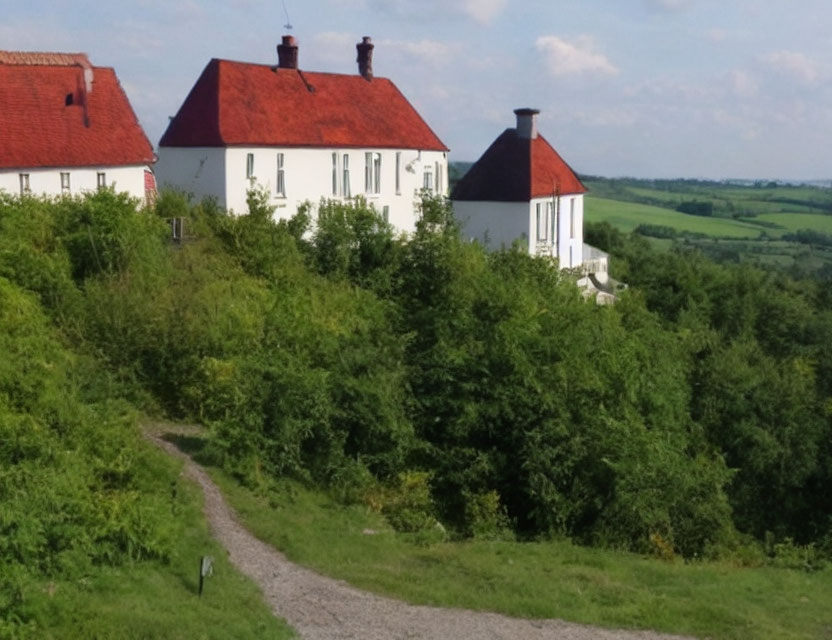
(301, 136)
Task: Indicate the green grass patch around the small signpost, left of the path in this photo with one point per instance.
(158, 600)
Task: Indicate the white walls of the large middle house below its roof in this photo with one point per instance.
(390, 179)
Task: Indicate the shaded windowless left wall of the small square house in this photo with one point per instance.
(495, 225)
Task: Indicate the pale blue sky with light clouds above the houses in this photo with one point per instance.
(644, 88)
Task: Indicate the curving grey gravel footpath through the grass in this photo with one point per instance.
(321, 608)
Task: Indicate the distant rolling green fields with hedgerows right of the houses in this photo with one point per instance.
(749, 223)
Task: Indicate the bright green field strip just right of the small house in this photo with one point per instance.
(628, 215)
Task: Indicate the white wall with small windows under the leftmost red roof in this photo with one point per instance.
(81, 179)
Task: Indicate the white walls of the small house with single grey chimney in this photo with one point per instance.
(546, 226)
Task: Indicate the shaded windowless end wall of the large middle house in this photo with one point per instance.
(199, 171)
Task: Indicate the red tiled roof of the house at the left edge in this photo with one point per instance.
(38, 128)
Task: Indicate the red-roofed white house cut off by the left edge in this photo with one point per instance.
(67, 127)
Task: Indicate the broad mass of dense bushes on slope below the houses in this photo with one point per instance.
(435, 380)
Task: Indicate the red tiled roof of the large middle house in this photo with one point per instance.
(238, 103)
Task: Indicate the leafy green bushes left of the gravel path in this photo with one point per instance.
(75, 486)
